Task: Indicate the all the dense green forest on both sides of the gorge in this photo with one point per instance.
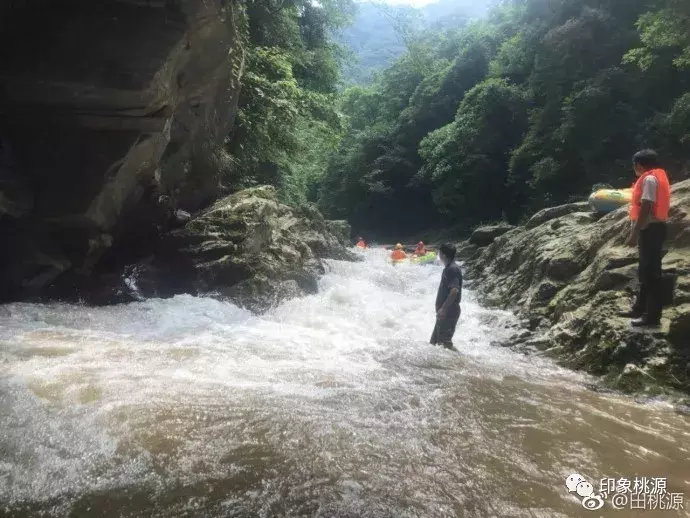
(490, 120)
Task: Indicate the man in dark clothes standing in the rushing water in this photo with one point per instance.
(447, 299)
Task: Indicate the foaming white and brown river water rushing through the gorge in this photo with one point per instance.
(330, 405)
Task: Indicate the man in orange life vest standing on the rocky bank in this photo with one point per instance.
(649, 209)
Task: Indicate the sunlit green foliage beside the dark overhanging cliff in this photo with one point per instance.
(286, 123)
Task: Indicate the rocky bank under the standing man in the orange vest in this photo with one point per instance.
(569, 274)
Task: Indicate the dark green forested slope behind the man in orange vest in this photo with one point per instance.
(529, 107)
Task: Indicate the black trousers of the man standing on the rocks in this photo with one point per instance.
(650, 297)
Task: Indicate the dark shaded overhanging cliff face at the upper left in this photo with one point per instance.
(112, 114)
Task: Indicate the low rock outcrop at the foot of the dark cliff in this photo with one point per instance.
(247, 247)
